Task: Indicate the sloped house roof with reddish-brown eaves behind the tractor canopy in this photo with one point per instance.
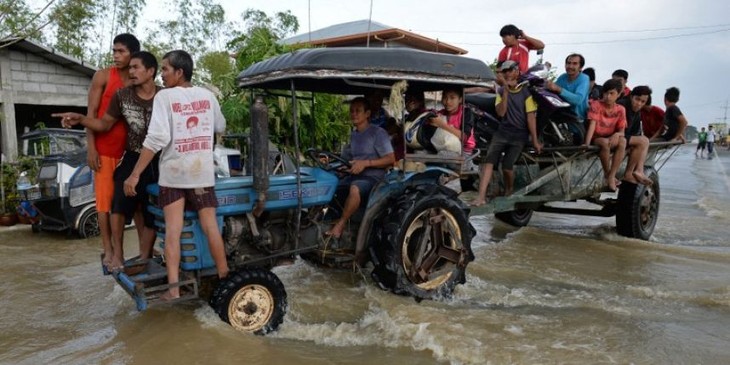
(355, 34)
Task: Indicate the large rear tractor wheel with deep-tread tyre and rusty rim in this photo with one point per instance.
(426, 244)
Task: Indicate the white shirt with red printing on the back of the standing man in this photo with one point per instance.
(183, 125)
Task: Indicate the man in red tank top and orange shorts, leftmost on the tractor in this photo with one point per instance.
(105, 149)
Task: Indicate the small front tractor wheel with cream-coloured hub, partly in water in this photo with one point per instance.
(251, 300)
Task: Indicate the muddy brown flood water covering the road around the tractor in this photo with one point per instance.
(565, 289)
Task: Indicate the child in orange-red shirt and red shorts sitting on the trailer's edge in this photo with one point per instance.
(606, 124)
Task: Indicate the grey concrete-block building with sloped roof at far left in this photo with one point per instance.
(36, 81)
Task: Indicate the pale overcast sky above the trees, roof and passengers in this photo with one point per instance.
(661, 43)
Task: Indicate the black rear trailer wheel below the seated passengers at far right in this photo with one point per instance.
(638, 207)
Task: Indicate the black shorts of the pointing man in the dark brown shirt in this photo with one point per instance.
(128, 204)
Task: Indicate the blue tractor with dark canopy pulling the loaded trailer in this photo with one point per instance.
(413, 235)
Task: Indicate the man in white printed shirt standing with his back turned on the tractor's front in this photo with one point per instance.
(184, 120)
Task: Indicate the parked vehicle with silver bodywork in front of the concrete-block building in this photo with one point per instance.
(64, 196)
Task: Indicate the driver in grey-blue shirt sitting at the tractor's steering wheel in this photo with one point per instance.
(369, 153)
